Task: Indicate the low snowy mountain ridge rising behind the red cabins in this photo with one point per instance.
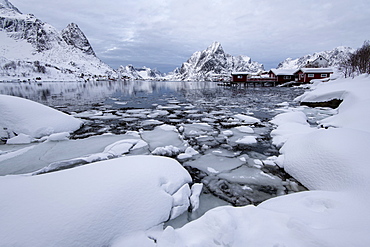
(334, 58)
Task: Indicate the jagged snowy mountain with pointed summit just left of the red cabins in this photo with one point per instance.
(214, 62)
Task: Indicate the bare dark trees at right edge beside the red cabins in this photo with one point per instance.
(357, 62)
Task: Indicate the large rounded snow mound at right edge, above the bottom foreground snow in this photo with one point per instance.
(332, 159)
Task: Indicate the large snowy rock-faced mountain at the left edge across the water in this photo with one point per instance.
(30, 48)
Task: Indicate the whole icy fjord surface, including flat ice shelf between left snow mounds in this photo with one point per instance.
(221, 135)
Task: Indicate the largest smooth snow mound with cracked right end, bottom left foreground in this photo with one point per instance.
(91, 205)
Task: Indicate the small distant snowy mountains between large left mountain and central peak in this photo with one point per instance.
(144, 73)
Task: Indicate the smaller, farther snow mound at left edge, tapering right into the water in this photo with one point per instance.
(20, 115)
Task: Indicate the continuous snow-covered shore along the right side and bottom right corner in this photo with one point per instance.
(332, 163)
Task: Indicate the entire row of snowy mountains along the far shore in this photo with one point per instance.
(32, 49)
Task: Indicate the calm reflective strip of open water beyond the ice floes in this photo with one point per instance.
(80, 96)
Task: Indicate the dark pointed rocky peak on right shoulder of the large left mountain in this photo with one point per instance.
(73, 35)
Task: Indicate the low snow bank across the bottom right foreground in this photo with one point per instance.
(306, 219)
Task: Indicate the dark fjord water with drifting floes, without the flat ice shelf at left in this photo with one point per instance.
(203, 113)
